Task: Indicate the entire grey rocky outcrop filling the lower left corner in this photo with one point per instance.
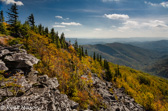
(28, 92)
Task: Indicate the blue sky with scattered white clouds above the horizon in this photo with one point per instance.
(97, 18)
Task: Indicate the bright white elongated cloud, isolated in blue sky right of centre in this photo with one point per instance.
(116, 16)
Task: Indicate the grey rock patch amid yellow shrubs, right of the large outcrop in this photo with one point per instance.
(115, 99)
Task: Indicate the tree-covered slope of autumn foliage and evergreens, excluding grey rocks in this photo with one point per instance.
(69, 62)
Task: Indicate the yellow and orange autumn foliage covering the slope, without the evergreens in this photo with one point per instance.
(147, 90)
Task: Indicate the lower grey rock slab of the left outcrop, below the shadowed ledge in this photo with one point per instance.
(41, 96)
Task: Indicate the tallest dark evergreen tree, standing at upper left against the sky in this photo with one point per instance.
(13, 19)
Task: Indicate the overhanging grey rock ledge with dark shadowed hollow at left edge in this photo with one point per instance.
(12, 58)
